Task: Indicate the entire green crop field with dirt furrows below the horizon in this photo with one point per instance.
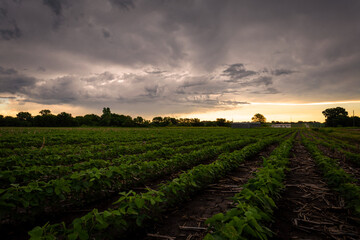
(179, 183)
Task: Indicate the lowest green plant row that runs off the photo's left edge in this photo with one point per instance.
(92, 184)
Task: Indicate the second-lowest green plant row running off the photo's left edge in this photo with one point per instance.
(23, 176)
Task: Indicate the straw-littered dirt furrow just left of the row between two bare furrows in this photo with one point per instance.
(187, 220)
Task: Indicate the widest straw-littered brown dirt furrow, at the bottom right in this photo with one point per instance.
(308, 209)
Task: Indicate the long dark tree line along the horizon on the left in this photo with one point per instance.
(109, 119)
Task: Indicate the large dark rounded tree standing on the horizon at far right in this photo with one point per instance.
(336, 117)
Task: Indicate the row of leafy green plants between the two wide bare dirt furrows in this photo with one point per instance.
(255, 204)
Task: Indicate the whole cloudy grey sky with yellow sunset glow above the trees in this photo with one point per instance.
(288, 60)
